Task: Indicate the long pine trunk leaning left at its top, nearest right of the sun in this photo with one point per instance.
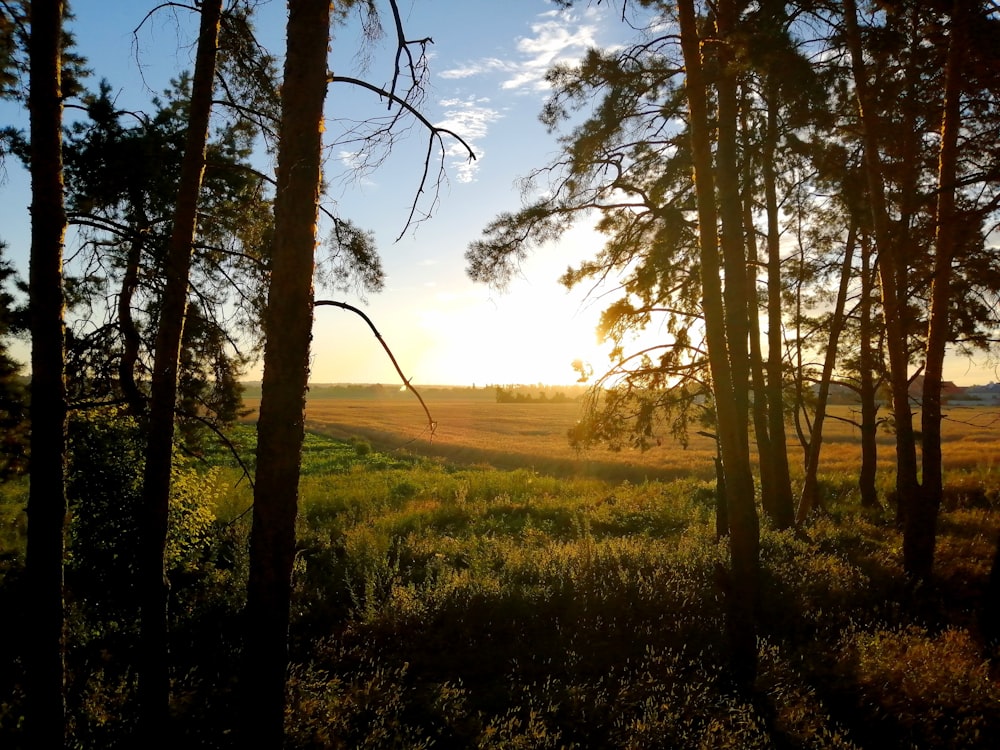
(741, 588)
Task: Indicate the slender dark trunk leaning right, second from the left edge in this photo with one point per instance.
(154, 676)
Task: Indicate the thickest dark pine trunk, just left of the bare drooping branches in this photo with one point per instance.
(287, 329)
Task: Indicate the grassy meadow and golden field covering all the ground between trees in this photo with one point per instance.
(491, 588)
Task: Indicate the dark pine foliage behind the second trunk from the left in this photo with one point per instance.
(122, 177)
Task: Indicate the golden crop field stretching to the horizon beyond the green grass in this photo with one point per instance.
(475, 429)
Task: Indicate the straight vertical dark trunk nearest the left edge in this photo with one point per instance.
(47, 497)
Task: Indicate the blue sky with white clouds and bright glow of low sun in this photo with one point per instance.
(487, 66)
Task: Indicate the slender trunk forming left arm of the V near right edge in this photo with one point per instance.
(891, 266)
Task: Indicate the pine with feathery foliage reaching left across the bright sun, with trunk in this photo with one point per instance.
(647, 161)
